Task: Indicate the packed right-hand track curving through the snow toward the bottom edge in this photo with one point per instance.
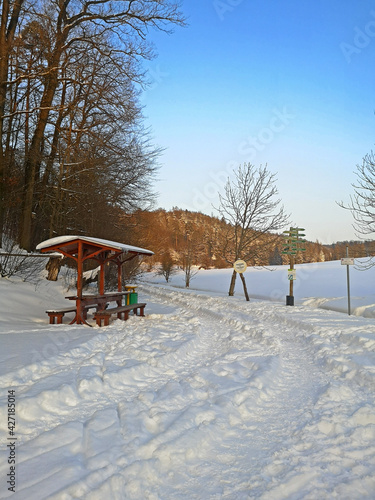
(272, 402)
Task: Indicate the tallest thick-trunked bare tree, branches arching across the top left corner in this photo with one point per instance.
(70, 27)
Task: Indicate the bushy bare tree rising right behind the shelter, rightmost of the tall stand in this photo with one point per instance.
(100, 157)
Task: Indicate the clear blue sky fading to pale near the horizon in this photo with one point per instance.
(287, 83)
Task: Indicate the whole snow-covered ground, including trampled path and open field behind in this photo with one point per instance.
(207, 397)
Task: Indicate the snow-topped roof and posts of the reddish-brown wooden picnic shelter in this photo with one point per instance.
(82, 248)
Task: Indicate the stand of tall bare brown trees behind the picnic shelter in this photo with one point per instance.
(74, 153)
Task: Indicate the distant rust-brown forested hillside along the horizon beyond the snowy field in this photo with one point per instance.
(173, 235)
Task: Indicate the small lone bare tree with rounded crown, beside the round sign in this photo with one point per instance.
(253, 213)
